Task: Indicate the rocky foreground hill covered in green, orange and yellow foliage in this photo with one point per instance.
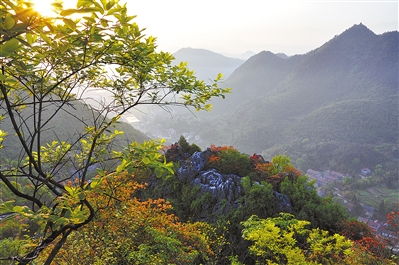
(213, 210)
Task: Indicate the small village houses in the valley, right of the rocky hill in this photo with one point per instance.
(382, 229)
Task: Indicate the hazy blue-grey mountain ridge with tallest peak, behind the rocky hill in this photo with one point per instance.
(310, 106)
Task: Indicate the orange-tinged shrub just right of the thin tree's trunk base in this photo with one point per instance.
(127, 229)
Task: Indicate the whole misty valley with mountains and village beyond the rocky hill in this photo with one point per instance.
(332, 109)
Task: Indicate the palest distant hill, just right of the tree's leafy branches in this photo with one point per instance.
(206, 64)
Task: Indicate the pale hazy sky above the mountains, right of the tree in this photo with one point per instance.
(236, 26)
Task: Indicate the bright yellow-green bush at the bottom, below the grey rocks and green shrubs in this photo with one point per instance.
(286, 240)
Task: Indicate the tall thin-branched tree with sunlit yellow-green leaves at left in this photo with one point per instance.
(47, 64)
